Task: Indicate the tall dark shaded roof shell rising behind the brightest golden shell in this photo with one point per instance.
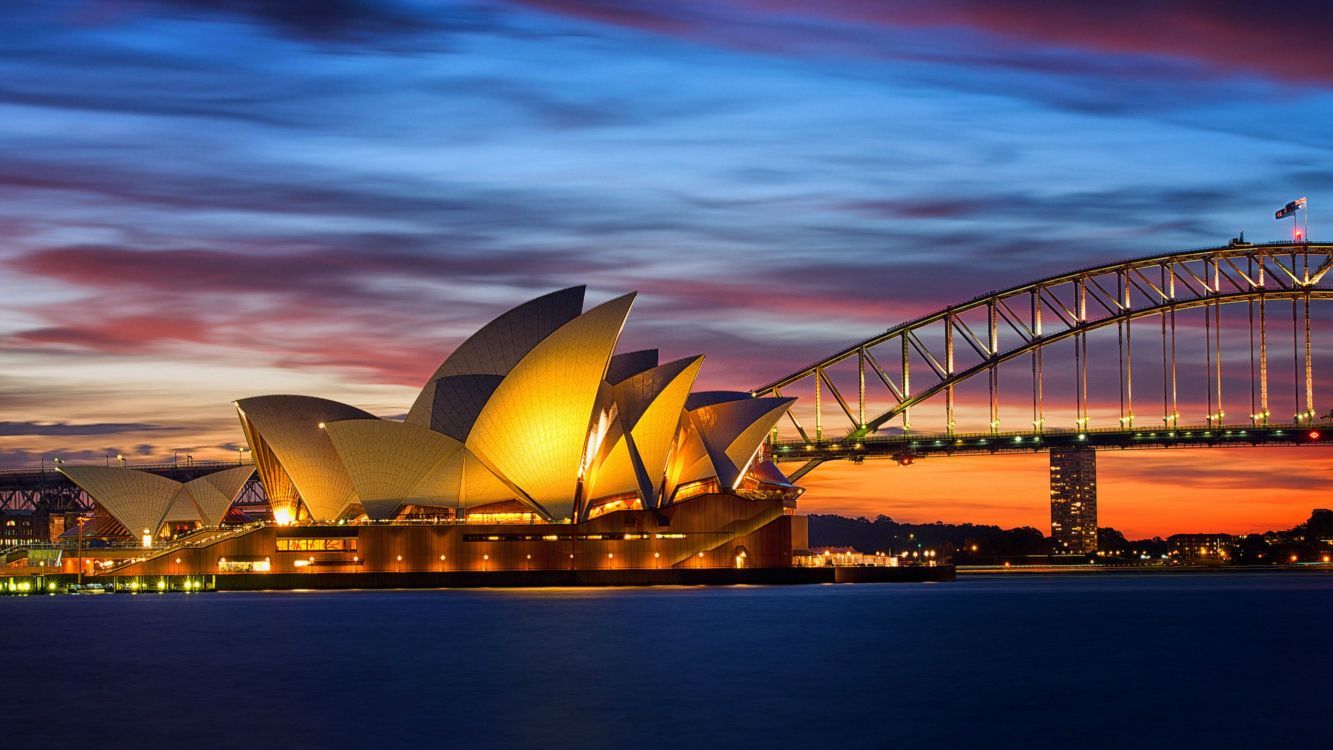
(494, 351)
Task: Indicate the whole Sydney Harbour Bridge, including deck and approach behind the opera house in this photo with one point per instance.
(1204, 348)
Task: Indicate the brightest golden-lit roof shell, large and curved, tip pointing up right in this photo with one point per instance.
(534, 430)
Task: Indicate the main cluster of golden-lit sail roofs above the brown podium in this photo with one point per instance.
(534, 408)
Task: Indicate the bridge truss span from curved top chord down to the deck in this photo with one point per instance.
(931, 358)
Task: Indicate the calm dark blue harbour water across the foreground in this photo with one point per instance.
(1062, 661)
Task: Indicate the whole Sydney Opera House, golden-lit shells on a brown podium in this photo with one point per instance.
(535, 446)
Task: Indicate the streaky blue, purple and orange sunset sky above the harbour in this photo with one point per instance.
(326, 198)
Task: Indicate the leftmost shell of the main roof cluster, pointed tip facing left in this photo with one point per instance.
(289, 427)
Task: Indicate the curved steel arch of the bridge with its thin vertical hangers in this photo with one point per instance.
(1027, 319)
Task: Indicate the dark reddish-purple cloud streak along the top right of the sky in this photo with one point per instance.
(1224, 38)
